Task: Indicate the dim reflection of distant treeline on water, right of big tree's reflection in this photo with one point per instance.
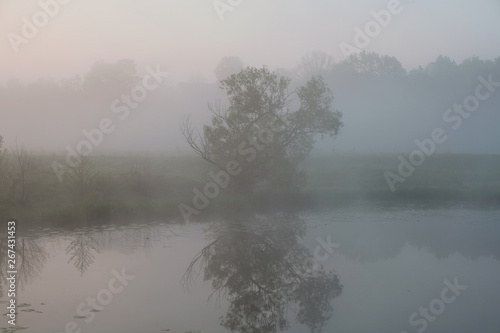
(369, 237)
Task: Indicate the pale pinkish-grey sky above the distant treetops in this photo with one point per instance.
(187, 36)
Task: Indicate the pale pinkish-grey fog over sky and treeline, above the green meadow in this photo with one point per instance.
(48, 96)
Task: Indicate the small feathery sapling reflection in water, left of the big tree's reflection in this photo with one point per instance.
(81, 250)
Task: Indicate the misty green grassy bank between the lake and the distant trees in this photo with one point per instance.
(150, 188)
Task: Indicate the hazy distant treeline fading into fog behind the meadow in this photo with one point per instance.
(385, 106)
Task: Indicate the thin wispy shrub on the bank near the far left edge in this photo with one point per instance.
(23, 172)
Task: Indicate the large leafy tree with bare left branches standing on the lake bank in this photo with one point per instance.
(260, 133)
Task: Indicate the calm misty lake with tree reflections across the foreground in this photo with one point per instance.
(345, 270)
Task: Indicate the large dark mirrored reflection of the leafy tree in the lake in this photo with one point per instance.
(263, 270)
